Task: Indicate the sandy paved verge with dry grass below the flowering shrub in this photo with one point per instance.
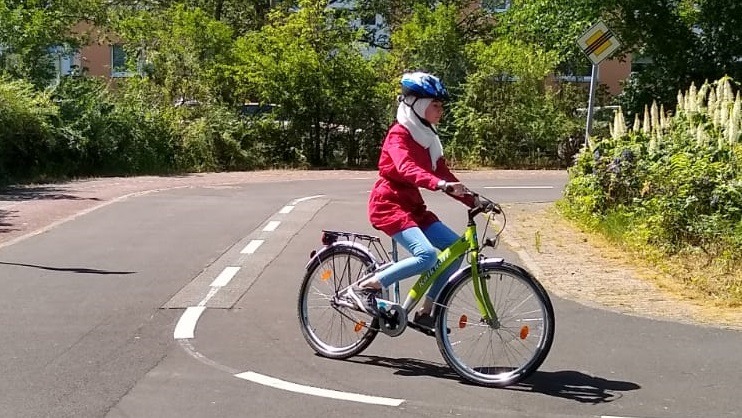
(587, 267)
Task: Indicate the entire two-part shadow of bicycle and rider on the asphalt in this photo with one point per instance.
(566, 384)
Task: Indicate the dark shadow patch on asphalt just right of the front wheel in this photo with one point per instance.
(576, 386)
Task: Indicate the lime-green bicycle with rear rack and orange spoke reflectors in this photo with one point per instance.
(494, 322)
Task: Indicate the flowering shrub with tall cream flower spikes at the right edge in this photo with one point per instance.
(676, 181)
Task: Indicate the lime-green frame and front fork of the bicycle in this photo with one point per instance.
(466, 245)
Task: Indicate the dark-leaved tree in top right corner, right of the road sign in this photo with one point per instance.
(685, 41)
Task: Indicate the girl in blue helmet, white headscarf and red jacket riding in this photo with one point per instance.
(411, 158)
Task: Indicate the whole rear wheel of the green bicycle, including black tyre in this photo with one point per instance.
(332, 330)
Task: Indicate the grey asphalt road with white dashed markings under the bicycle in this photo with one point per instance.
(95, 317)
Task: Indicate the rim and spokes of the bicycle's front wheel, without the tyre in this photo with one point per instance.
(501, 351)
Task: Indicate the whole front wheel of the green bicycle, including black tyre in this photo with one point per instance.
(496, 351)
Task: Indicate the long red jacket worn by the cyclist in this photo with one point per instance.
(395, 203)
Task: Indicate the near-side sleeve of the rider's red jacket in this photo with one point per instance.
(411, 160)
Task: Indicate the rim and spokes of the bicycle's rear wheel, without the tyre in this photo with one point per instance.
(333, 329)
